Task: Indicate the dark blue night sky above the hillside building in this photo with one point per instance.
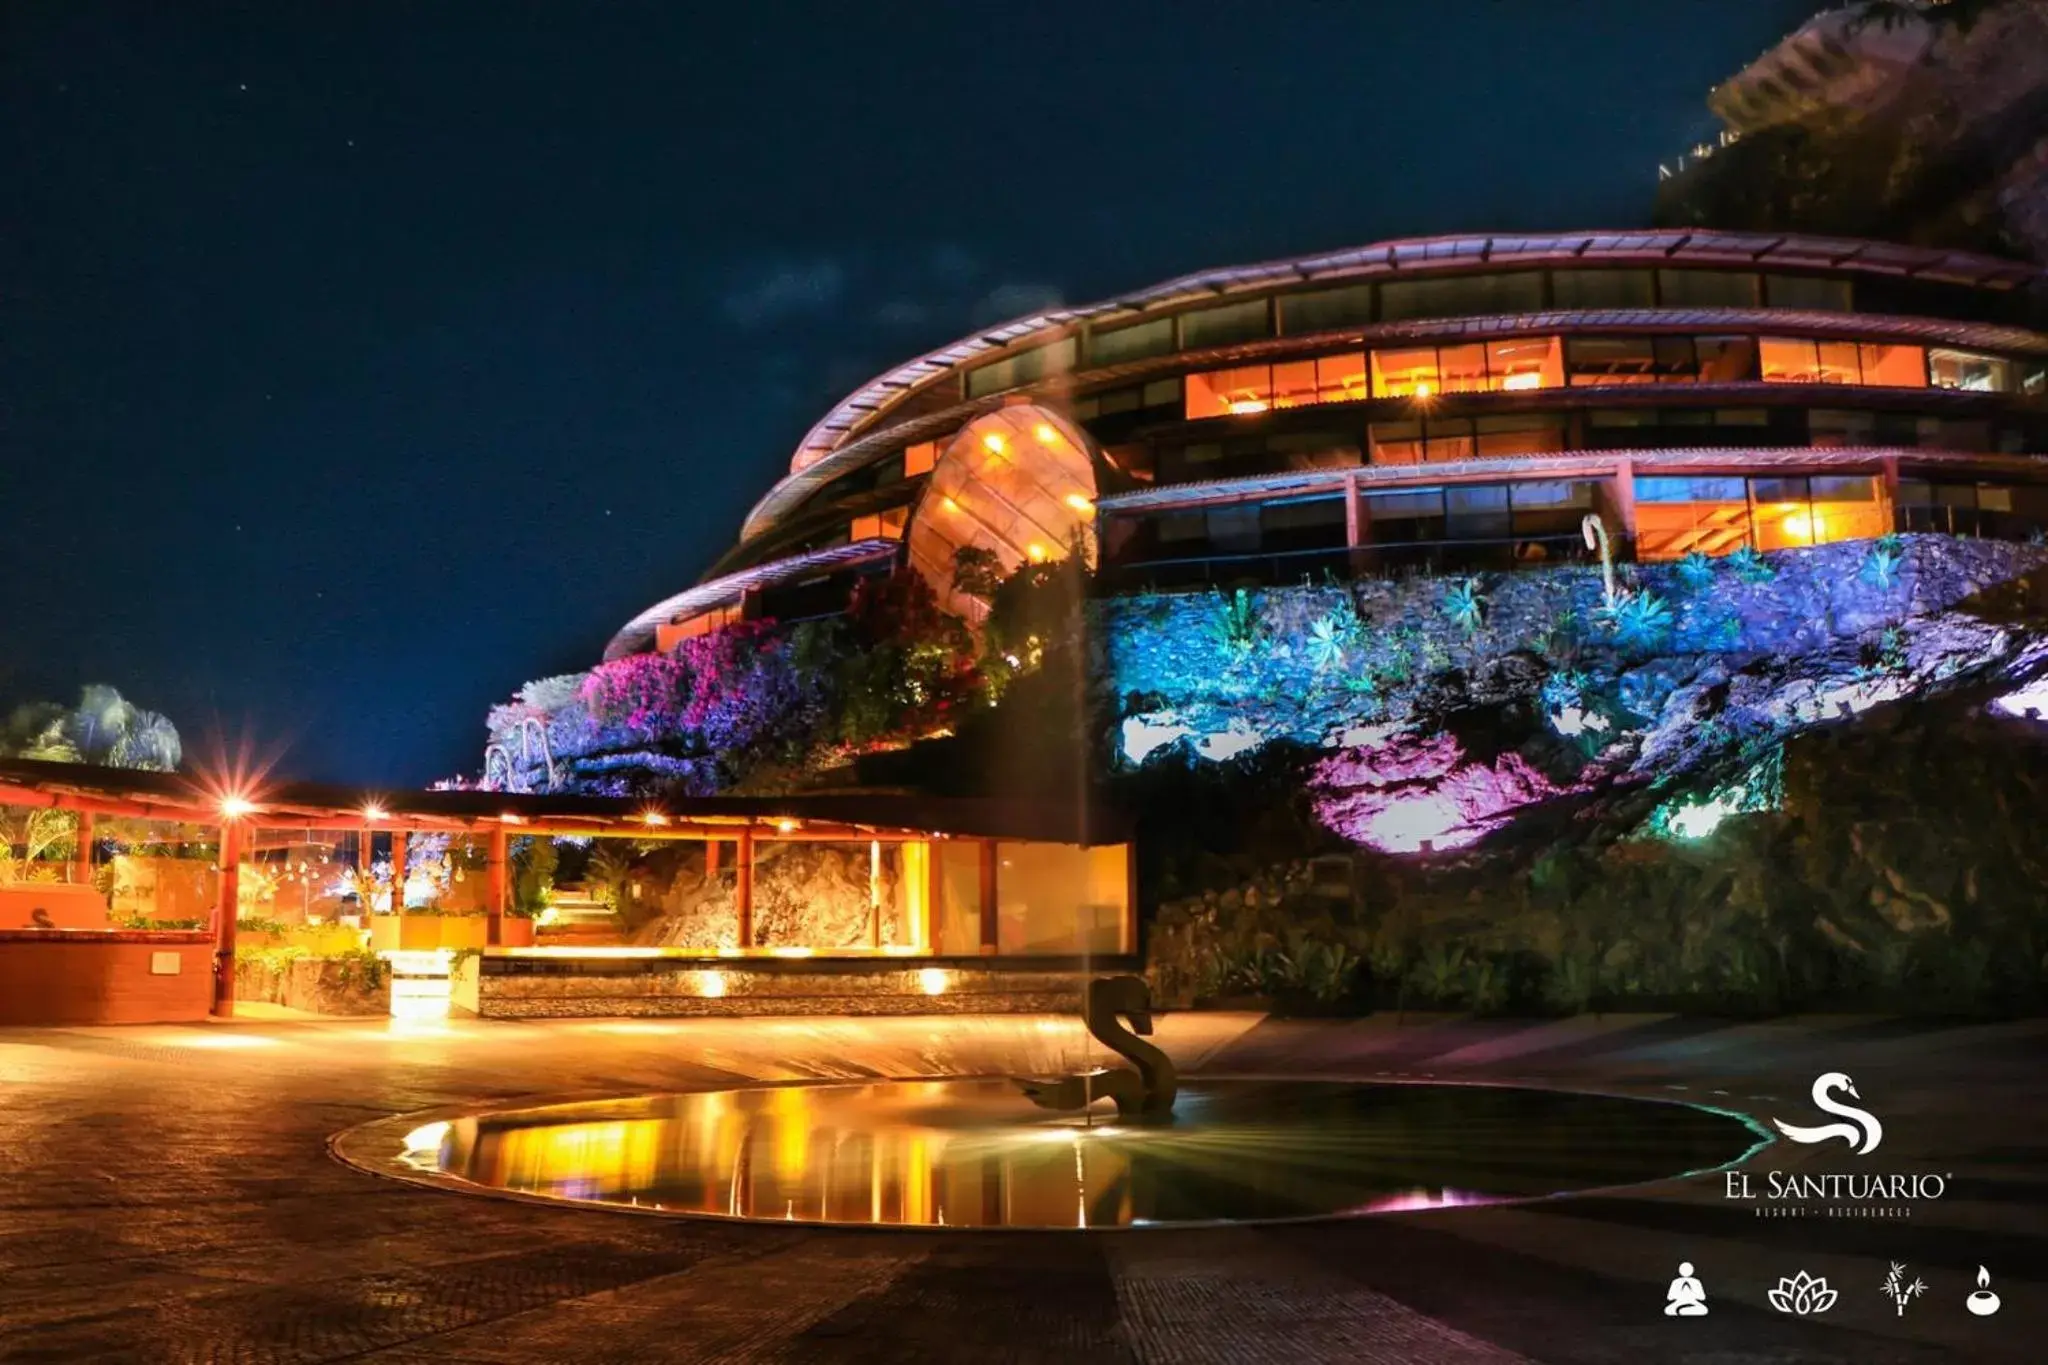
(364, 361)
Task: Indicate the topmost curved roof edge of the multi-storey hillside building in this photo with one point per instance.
(1418, 257)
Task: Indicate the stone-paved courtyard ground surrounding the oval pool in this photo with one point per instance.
(169, 1198)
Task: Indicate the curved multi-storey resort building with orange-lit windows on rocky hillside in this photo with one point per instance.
(1453, 402)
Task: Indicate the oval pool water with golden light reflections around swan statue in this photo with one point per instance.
(974, 1153)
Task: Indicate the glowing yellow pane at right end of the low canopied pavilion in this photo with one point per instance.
(1062, 899)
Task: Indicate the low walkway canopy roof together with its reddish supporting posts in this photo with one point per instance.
(497, 818)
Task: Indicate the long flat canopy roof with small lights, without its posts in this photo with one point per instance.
(304, 805)
